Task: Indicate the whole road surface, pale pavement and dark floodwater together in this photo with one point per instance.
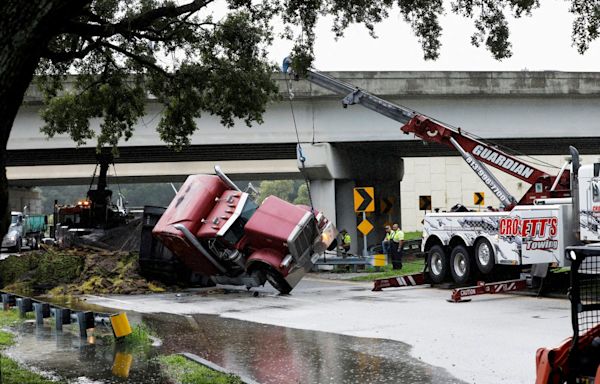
(409, 335)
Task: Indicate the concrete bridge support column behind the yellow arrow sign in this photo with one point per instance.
(334, 173)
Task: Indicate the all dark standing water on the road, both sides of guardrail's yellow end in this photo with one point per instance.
(265, 353)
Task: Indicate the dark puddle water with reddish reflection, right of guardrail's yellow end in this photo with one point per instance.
(271, 354)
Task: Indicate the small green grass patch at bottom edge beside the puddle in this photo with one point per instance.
(183, 371)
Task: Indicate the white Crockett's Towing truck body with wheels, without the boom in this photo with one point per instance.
(525, 235)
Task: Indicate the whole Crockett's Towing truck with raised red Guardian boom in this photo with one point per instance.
(532, 231)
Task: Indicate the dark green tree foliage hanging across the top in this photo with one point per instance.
(194, 62)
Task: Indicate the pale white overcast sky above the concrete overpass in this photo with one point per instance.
(539, 42)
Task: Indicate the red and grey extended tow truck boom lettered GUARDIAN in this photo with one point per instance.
(473, 151)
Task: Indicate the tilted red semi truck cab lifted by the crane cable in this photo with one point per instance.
(218, 231)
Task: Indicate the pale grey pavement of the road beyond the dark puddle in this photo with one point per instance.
(492, 339)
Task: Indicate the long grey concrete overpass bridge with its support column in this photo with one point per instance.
(536, 113)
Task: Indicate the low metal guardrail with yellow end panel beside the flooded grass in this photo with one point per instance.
(118, 322)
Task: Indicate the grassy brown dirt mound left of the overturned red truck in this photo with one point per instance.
(73, 272)
